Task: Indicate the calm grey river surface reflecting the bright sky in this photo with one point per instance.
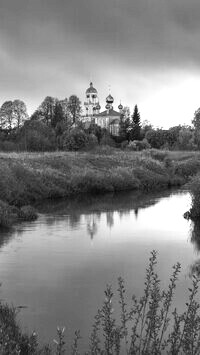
(57, 267)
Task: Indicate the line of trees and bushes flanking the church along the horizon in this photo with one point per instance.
(57, 124)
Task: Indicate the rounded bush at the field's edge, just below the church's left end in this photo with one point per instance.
(75, 139)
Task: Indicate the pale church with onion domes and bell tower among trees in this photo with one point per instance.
(109, 118)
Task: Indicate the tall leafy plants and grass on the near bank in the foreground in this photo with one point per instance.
(145, 326)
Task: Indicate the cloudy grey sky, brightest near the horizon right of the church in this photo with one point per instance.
(146, 51)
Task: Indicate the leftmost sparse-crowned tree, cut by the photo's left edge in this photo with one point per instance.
(7, 121)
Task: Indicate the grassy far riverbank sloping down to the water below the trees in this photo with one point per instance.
(29, 177)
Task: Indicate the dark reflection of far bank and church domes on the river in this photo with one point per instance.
(90, 211)
